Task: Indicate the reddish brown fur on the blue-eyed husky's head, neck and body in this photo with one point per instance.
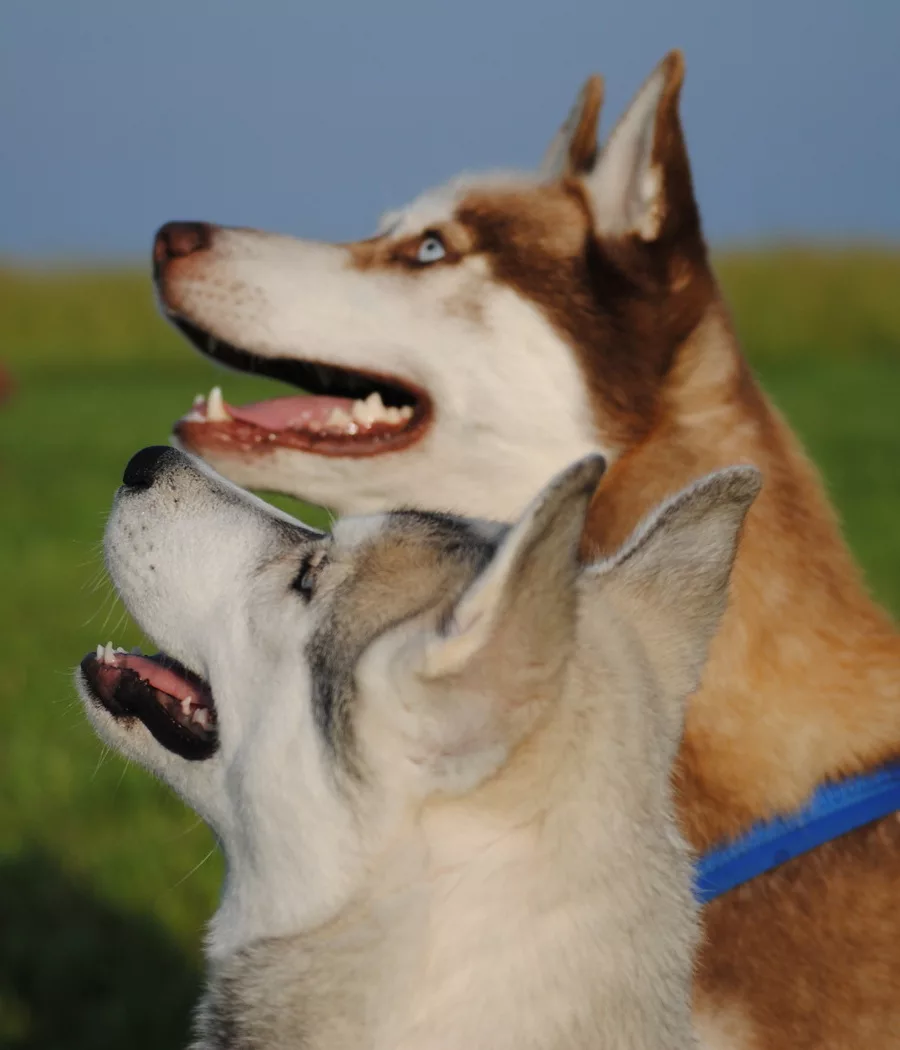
(804, 681)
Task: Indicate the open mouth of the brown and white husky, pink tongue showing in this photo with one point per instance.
(343, 412)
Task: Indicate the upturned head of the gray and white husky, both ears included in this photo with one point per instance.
(319, 692)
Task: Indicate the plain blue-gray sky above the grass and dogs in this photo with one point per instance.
(315, 117)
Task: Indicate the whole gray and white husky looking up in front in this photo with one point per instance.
(436, 752)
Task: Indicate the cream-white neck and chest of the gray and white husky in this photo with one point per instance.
(514, 926)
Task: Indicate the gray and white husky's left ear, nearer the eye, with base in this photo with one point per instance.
(484, 673)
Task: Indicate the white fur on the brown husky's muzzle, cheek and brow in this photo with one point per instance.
(510, 401)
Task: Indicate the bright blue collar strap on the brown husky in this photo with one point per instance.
(832, 811)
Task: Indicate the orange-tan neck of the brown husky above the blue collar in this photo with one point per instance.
(804, 679)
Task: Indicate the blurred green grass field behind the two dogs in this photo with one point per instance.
(106, 879)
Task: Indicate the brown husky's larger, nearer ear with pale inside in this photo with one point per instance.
(641, 184)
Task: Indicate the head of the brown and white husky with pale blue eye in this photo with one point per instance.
(492, 332)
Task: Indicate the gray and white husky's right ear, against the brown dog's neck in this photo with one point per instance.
(671, 580)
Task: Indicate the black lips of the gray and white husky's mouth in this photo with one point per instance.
(135, 699)
